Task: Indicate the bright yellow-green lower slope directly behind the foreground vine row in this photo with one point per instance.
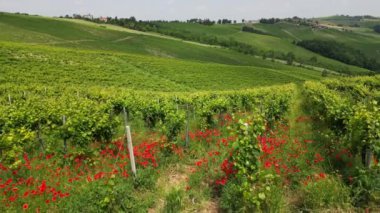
(26, 64)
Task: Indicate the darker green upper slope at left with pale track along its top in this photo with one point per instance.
(85, 35)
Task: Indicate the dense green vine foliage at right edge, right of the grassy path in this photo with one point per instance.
(350, 108)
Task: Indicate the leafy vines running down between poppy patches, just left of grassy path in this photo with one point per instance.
(255, 185)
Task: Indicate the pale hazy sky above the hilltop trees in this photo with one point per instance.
(185, 9)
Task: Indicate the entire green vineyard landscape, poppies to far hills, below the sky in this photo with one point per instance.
(98, 117)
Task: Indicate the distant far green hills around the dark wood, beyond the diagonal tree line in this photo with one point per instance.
(279, 38)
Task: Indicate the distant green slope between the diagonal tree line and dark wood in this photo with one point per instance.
(279, 42)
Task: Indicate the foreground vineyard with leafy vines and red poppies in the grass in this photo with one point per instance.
(309, 147)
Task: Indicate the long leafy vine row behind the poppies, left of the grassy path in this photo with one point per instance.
(53, 118)
